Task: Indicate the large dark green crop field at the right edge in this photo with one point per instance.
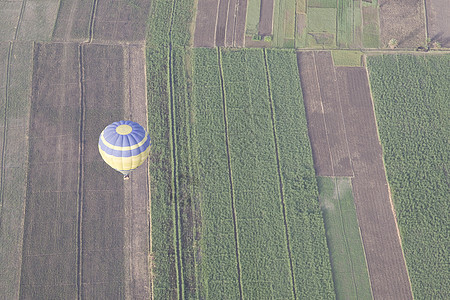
(411, 97)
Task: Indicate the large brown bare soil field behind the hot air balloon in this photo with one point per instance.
(86, 230)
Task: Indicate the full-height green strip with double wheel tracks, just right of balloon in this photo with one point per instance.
(172, 189)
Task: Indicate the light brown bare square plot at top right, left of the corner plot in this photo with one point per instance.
(404, 21)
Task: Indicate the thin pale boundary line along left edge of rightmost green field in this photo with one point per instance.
(391, 202)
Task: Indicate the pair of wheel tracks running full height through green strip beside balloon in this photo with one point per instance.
(173, 137)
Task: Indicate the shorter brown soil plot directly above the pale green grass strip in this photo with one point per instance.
(324, 114)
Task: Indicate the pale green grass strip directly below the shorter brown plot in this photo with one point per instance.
(350, 273)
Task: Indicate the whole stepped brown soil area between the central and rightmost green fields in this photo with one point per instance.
(341, 125)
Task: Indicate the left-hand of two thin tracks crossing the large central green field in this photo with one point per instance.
(227, 144)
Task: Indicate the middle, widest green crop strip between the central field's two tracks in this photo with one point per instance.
(262, 238)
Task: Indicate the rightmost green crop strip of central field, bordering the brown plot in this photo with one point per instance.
(311, 265)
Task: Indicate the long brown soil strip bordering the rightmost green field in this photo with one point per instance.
(386, 264)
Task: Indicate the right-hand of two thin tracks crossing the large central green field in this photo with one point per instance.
(280, 176)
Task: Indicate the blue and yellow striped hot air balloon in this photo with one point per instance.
(124, 145)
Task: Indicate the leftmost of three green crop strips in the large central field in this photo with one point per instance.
(219, 277)
